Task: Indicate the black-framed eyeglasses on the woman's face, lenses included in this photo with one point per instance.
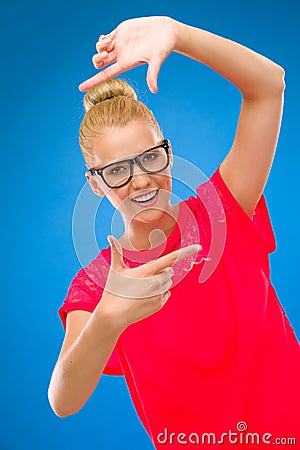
(153, 160)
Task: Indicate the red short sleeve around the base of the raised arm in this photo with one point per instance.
(260, 223)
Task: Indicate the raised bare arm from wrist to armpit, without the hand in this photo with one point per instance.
(246, 167)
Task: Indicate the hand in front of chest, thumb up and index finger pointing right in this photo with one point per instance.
(135, 293)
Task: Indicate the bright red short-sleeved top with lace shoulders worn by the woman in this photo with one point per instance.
(221, 350)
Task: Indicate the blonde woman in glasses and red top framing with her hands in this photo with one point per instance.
(218, 361)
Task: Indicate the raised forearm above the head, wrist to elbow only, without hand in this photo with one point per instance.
(253, 74)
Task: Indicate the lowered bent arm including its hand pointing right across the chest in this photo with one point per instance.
(91, 337)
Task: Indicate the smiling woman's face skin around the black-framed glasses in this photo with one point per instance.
(119, 143)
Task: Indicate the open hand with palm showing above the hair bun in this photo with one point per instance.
(146, 40)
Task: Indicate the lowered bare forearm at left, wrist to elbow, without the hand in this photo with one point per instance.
(79, 369)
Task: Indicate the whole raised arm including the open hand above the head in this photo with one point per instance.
(150, 40)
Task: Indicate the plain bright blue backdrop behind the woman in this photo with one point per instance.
(46, 50)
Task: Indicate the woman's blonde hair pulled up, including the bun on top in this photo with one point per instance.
(111, 104)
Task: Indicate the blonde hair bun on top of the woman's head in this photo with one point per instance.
(106, 91)
